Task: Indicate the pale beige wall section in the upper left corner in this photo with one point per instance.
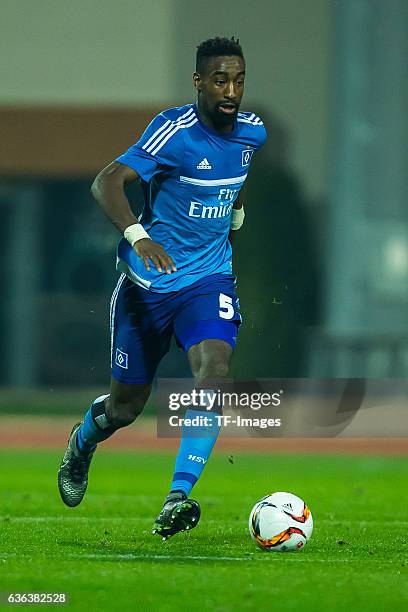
(86, 52)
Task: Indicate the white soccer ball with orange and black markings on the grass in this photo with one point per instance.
(281, 522)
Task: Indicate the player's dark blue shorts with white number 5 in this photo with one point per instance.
(142, 322)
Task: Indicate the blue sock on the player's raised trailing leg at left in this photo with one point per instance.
(95, 427)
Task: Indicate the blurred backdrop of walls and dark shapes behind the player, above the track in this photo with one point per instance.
(322, 259)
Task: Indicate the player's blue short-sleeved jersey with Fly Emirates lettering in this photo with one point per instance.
(191, 176)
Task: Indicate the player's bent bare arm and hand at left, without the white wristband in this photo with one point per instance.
(108, 190)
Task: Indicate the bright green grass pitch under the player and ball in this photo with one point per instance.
(103, 556)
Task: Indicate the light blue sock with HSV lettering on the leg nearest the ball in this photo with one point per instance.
(195, 448)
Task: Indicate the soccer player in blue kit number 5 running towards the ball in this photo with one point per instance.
(176, 267)
